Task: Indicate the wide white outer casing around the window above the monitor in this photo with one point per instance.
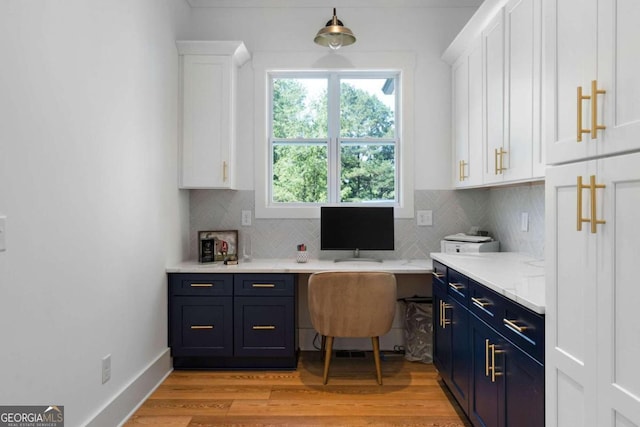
(268, 64)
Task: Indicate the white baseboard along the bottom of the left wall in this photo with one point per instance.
(129, 399)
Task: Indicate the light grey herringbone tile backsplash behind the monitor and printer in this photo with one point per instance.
(496, 210)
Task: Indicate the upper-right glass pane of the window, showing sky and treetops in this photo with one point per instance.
(367, 108)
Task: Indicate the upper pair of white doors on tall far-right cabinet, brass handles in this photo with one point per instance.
(591, 94)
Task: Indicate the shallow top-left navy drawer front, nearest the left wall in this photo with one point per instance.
(201, 284)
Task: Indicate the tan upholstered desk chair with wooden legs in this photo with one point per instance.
(352, 304)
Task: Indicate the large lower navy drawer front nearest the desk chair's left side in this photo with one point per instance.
(264, 326)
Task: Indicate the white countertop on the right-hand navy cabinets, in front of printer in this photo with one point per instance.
(517, 276)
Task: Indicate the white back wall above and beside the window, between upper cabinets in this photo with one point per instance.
(423, 31)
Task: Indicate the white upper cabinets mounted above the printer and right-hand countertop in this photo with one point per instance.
(506, 36)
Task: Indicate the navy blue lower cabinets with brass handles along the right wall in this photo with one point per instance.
(489, 352)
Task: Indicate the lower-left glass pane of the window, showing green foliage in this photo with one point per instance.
(299, 173)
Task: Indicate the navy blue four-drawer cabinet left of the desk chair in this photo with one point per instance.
(231, 321)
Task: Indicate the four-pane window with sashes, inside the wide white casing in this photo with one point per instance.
(333, 138)
